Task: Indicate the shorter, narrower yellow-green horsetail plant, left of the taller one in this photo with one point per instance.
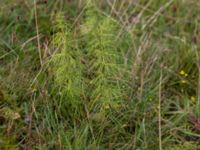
(67, 66)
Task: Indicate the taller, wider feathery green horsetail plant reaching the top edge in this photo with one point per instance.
(103, 57)
